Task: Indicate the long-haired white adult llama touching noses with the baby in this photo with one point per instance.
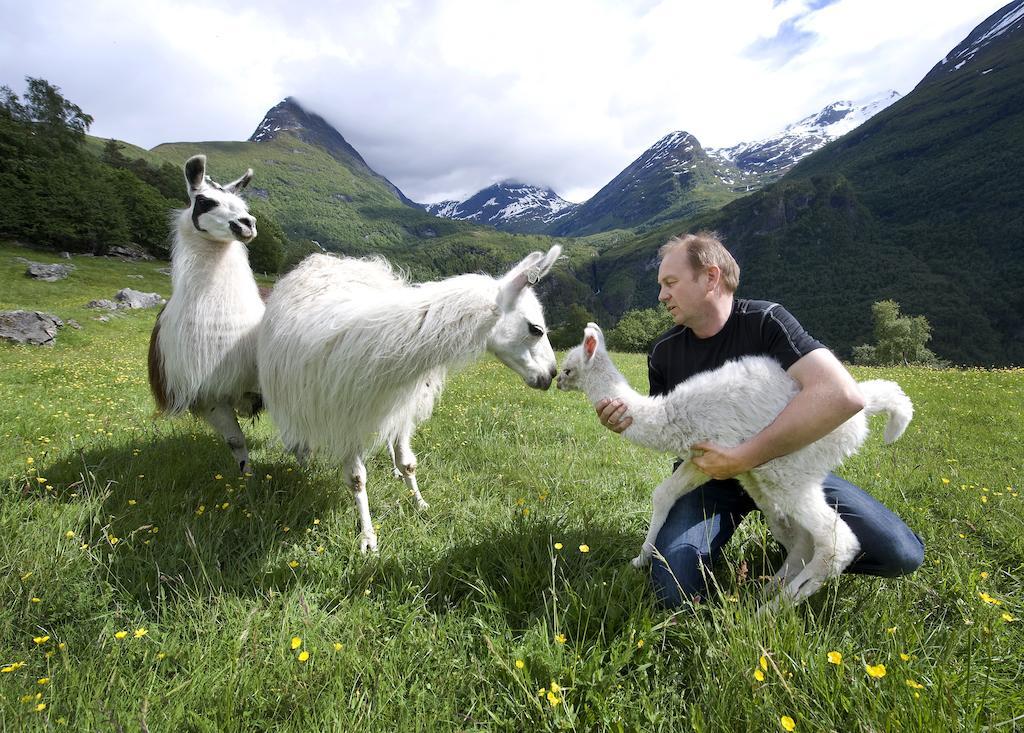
(351, 356)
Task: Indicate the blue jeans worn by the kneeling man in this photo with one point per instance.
(701, 524)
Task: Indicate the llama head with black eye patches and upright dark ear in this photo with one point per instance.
(218, 211)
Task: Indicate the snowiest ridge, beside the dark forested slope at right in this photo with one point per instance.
(764, 161)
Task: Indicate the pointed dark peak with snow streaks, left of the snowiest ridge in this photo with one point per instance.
(673, 179)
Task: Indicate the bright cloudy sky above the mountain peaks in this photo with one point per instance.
(448, 97)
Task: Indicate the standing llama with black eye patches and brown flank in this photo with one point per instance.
(203, 349)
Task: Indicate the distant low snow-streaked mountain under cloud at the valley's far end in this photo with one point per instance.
(509, 206)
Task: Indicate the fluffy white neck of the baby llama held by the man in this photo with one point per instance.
(604, 381)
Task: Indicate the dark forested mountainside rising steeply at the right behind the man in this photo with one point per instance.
(921, 204)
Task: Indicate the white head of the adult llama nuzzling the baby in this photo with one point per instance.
(520, 339)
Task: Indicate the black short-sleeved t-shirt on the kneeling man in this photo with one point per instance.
(756, 328)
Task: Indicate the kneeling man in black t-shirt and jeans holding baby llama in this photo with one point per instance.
(698, 279)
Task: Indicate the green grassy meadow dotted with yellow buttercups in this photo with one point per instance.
(147, 587)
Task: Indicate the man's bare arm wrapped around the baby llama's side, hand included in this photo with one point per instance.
(828, 398)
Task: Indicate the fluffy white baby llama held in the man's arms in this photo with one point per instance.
(728, 406)
